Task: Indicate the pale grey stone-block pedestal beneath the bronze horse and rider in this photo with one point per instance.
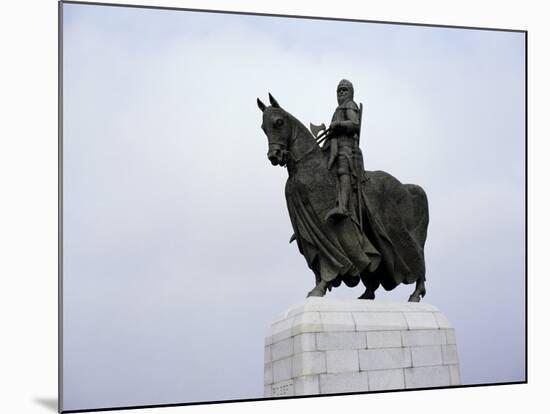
(326, 346)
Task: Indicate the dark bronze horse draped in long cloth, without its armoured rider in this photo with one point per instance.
(384, 246)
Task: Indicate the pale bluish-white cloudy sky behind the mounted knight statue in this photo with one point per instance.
(176, 255)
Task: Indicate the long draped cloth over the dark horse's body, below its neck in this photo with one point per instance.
(389, 245)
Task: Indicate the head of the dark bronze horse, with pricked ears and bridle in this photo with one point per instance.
(277, 125)
